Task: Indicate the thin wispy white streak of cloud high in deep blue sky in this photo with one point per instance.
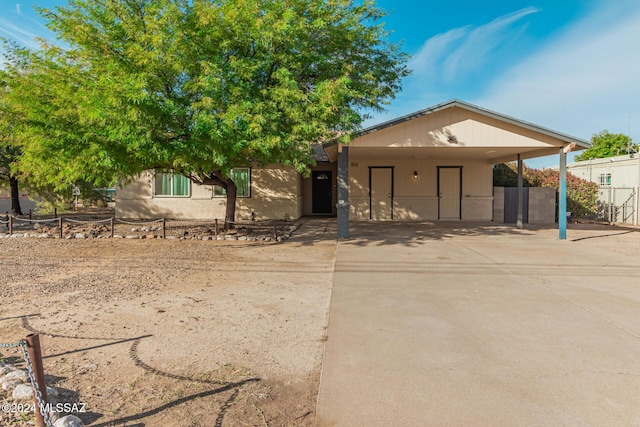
(462, 50)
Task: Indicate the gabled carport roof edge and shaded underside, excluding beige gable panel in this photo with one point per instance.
(502, 155)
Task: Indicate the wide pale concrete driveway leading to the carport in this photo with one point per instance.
(480, 325)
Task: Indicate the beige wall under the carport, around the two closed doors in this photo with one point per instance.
(417, 199)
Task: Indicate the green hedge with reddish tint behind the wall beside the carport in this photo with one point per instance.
(582, 195)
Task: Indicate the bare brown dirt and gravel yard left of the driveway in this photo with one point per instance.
(173, 333)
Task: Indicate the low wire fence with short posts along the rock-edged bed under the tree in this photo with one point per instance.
(162, 228)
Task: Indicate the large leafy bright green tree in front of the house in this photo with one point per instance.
(200, 87)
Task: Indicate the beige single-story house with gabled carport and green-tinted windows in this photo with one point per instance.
(432, 165)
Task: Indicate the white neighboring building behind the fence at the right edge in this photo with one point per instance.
(619, 180)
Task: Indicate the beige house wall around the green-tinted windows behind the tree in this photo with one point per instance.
(276, 192)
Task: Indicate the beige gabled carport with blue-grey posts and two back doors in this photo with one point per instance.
(436, 165)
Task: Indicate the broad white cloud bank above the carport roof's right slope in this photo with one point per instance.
(584, 81)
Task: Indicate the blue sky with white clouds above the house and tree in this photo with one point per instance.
(572, 66)
